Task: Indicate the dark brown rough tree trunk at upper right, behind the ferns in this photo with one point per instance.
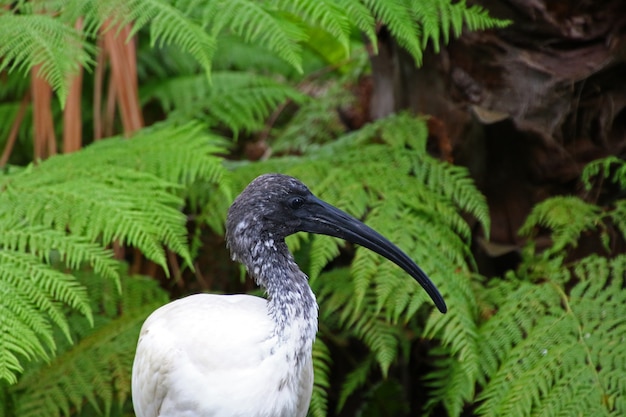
(524, 107)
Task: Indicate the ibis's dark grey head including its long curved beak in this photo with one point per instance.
(275, 206)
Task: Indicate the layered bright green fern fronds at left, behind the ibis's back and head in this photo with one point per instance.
(66, 210)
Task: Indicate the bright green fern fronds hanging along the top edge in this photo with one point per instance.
(48, 36)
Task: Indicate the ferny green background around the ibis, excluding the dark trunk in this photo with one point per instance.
(144, 118)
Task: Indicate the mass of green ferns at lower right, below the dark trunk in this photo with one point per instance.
(551, 333)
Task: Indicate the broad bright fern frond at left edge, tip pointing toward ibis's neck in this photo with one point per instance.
(96, 207)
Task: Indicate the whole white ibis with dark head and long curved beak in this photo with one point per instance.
(244, 356)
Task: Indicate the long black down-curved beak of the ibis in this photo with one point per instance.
(326, 219)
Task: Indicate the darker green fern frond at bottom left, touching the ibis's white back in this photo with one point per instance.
(96, 371)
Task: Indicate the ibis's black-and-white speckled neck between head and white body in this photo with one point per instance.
(292, 305)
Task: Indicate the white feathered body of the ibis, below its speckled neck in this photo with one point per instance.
(221, 356)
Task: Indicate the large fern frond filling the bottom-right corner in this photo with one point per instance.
(557, 352)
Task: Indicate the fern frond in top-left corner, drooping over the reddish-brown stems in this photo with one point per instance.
(46, 41)
